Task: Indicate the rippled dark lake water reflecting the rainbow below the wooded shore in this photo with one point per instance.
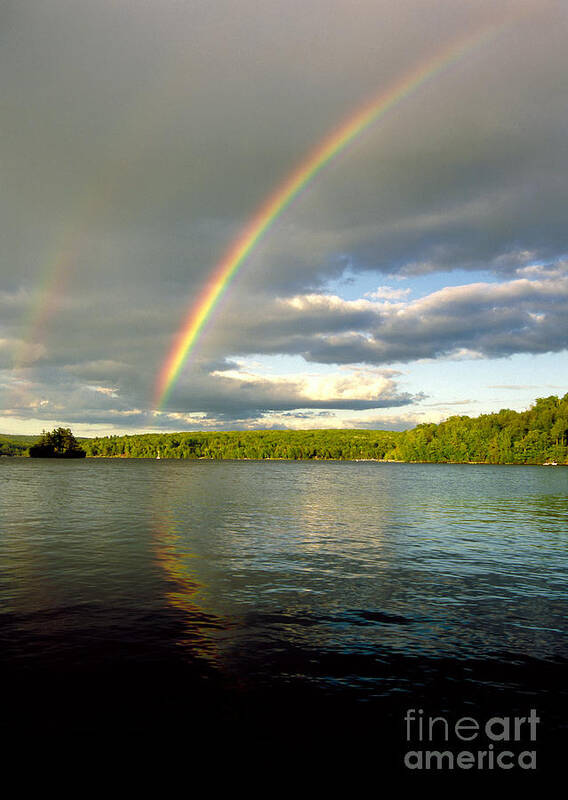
(265, 599)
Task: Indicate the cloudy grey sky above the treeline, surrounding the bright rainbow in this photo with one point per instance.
(421, 273)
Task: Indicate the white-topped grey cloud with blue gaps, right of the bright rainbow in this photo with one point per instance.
(476, 320)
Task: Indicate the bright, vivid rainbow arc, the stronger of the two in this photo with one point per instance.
(269, 212)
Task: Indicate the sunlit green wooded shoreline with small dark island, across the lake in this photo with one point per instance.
(536, 436)
